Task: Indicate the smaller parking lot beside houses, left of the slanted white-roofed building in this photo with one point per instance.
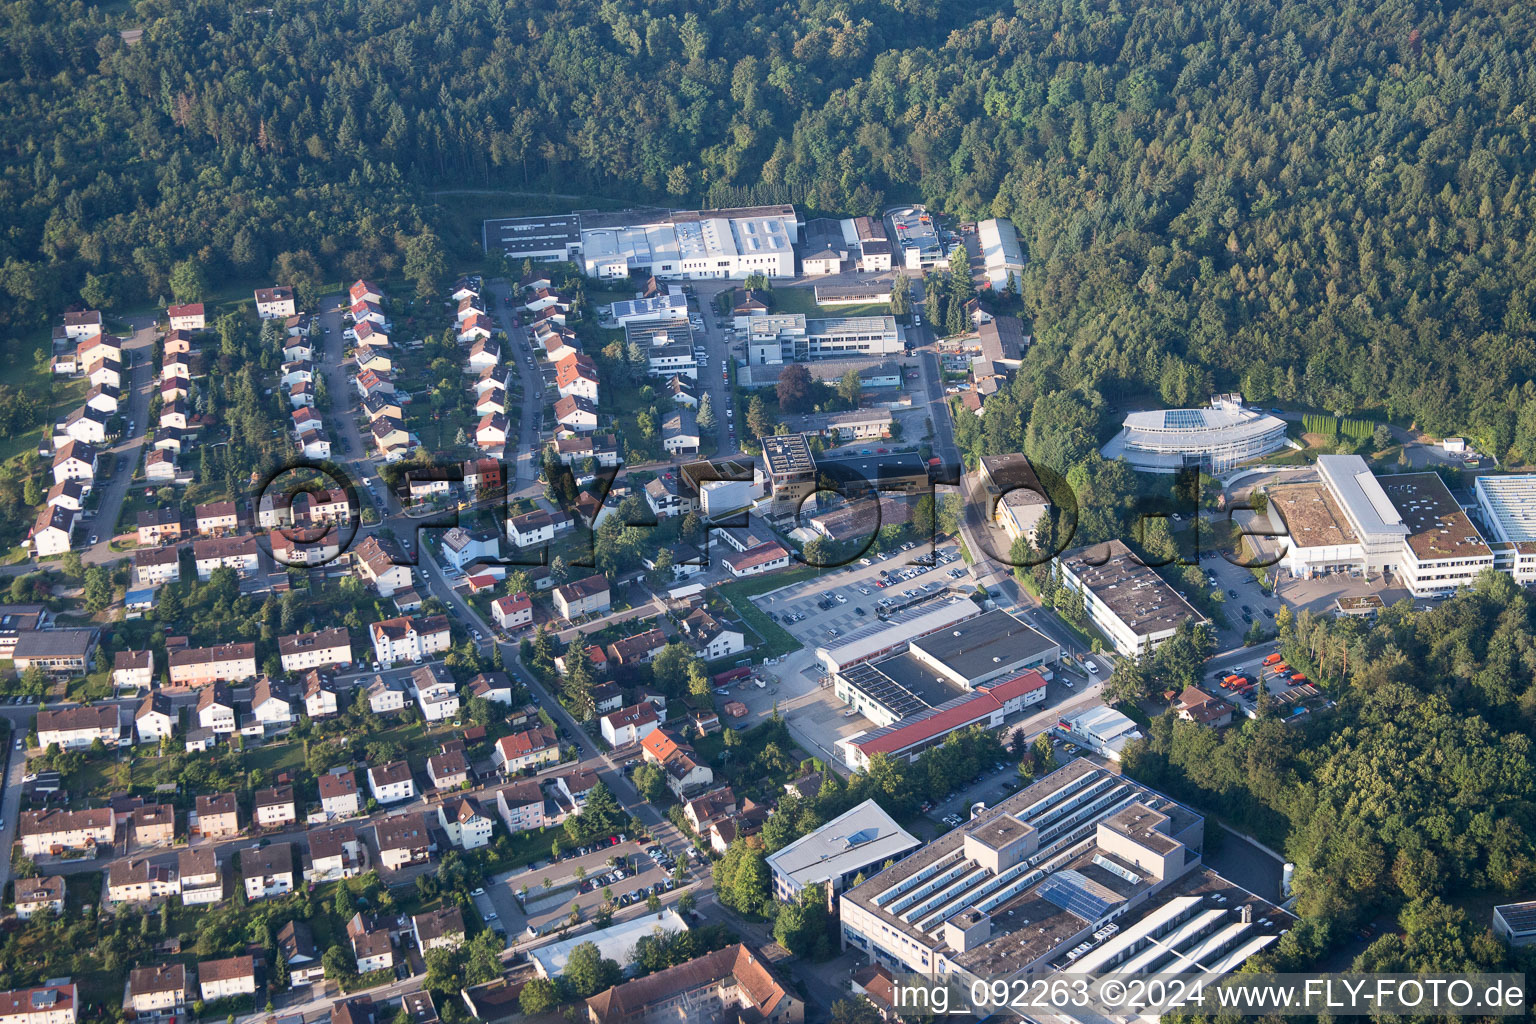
(626, 873)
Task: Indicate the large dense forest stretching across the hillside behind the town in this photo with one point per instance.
(1323, 203)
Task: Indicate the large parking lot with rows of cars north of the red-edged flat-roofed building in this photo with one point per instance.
(847, 598)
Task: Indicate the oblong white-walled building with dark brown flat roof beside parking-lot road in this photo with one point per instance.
(1125, 600)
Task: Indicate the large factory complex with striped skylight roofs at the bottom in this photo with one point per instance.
(1081, 871)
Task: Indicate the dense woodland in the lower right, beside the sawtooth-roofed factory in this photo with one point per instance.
(1418, 788)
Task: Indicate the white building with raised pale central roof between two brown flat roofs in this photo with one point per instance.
(1406, 524)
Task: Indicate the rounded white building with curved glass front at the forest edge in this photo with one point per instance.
(1211, 440)
